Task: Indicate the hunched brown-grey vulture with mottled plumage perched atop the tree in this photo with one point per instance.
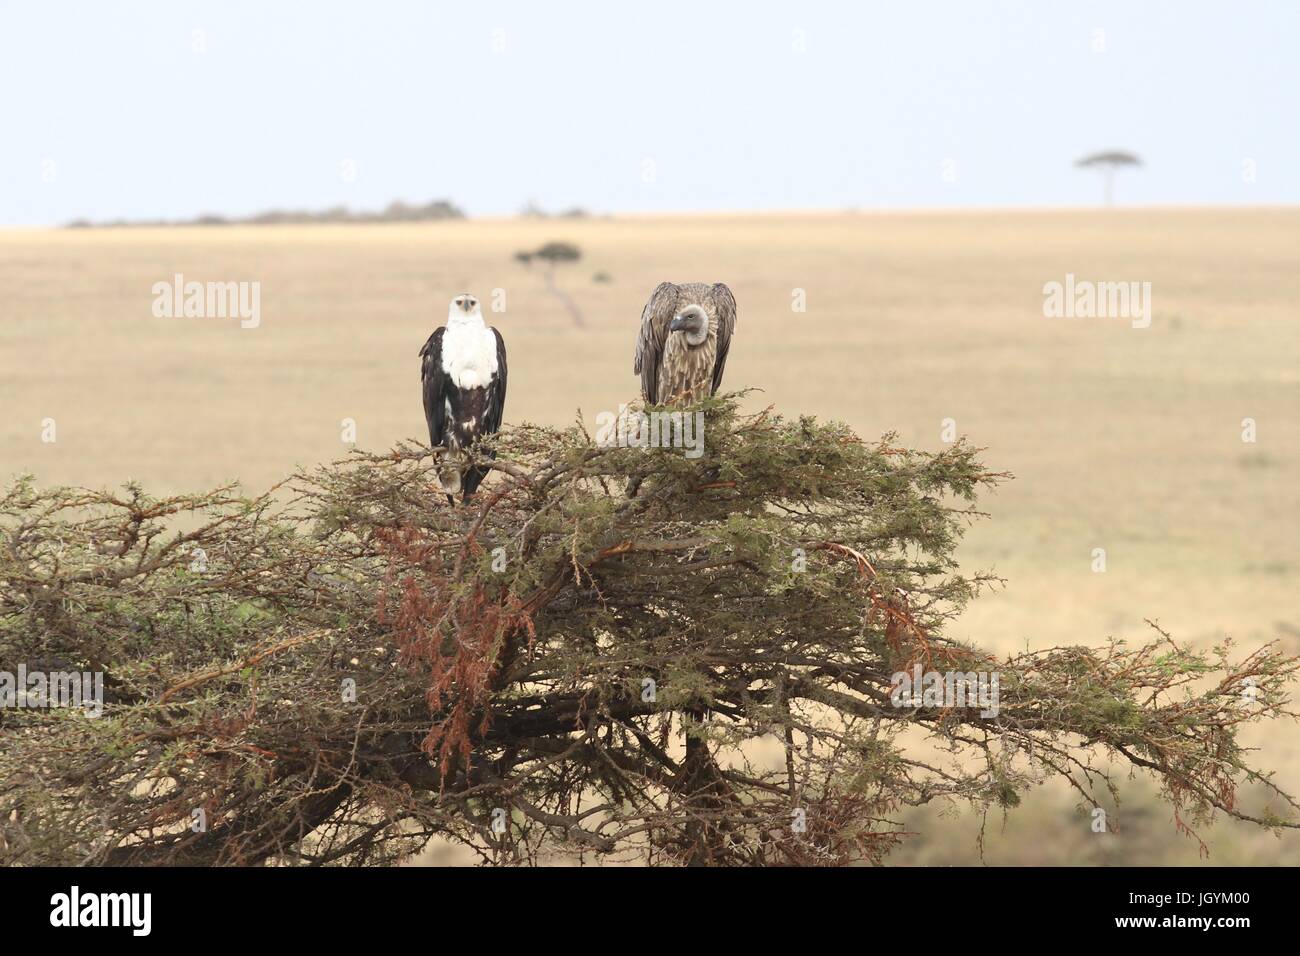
(686, 335)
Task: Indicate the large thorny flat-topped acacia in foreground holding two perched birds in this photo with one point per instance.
(616, 652)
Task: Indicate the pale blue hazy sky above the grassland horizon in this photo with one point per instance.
(109, 110)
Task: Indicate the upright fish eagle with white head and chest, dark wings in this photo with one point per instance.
(463, 374)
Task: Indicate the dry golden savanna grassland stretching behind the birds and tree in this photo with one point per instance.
(1121, 439)
